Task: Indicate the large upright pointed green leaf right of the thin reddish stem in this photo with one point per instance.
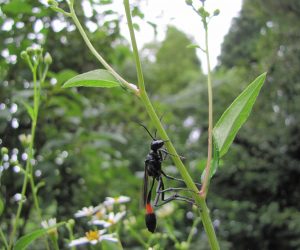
(235, 115)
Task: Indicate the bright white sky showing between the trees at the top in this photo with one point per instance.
(177, 13)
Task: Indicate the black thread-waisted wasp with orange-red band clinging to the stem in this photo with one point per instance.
(153, 169)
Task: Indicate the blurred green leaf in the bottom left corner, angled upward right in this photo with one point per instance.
(27, 239)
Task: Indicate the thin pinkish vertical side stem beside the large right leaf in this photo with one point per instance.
(205, 185)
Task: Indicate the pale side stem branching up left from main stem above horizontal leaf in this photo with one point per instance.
(124, 83)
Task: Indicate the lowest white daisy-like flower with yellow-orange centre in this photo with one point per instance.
(93, 237)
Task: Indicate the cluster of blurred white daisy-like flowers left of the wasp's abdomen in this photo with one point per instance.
(105, 215)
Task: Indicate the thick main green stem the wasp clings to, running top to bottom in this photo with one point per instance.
(200, 201)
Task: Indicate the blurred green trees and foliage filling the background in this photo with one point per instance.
(89, 146)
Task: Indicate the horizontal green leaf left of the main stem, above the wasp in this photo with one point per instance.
(97, 78)
